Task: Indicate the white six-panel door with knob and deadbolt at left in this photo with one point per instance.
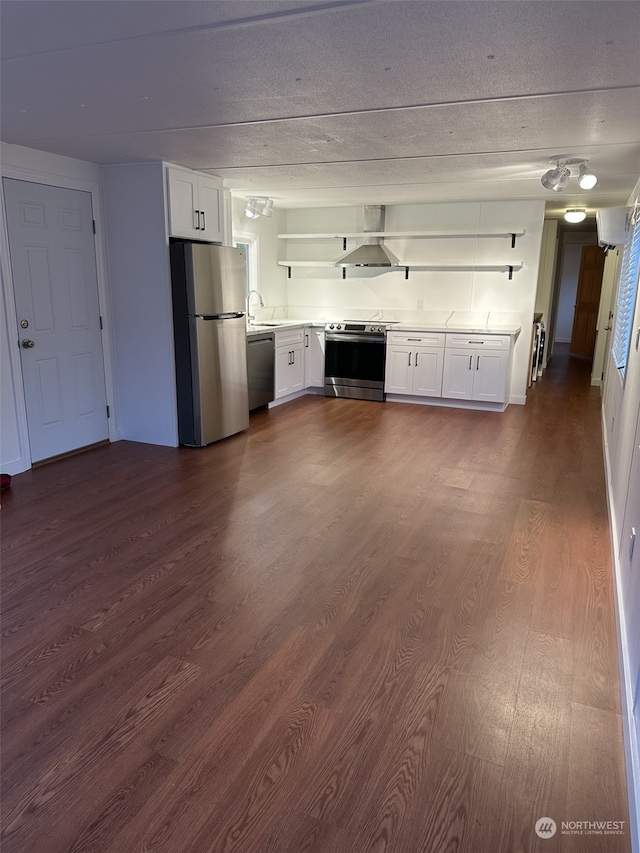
(53, 263)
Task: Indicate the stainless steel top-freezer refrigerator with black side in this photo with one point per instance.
(208, 286)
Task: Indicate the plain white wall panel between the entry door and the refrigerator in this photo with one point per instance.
(139, 272)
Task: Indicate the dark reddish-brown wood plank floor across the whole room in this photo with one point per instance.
(354, 628)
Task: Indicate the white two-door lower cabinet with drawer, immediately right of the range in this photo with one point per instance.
(414, 364)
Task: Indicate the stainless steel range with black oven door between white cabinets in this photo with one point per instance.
(355, 360)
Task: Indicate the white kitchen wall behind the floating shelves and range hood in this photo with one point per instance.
(321, 293)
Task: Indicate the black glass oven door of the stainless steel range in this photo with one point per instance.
(354, 361)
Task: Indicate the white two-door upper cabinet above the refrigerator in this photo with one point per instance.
(195, 205)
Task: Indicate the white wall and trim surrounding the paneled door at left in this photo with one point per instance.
(39, 167)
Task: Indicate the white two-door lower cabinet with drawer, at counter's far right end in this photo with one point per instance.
(476, 367)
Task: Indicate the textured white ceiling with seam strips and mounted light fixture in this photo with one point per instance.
(324, 103)
